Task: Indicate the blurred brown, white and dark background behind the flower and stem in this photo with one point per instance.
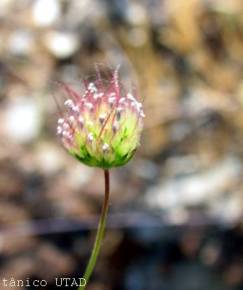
(176, 211)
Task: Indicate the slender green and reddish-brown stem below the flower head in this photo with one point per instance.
(100, 231)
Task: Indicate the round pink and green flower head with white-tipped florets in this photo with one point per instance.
(101, 127)
